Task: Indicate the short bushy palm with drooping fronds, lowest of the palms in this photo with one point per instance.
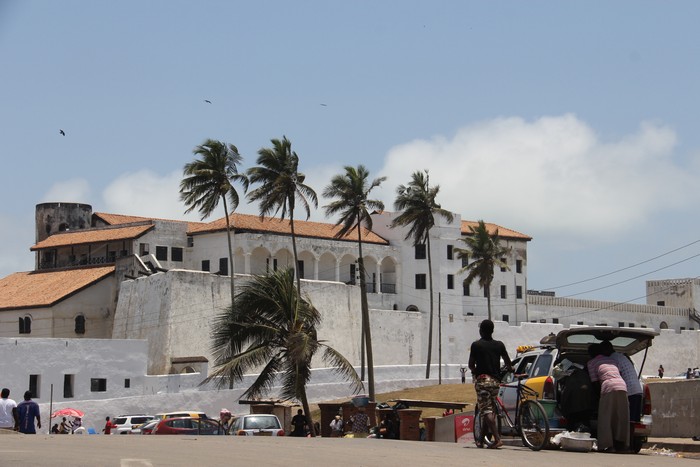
(271, 328)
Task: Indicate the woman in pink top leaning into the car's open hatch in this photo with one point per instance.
(613, 408)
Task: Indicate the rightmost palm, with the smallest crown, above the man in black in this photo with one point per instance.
(487, 253)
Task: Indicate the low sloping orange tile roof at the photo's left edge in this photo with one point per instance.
(46, 288)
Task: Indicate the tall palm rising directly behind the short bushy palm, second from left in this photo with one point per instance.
(281, 185)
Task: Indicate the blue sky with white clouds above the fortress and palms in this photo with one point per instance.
(572, 122)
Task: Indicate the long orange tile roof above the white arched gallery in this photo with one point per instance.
(251, 223)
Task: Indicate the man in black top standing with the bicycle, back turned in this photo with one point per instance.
(485, 364)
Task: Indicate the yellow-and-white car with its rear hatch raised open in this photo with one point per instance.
(573, 403)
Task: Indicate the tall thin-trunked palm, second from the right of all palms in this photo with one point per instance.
(418, 207)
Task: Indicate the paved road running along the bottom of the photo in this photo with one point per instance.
(146, 451)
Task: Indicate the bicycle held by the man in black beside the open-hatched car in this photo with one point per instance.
(529, 420)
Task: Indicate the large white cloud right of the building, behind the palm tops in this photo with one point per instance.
(552, 175)
